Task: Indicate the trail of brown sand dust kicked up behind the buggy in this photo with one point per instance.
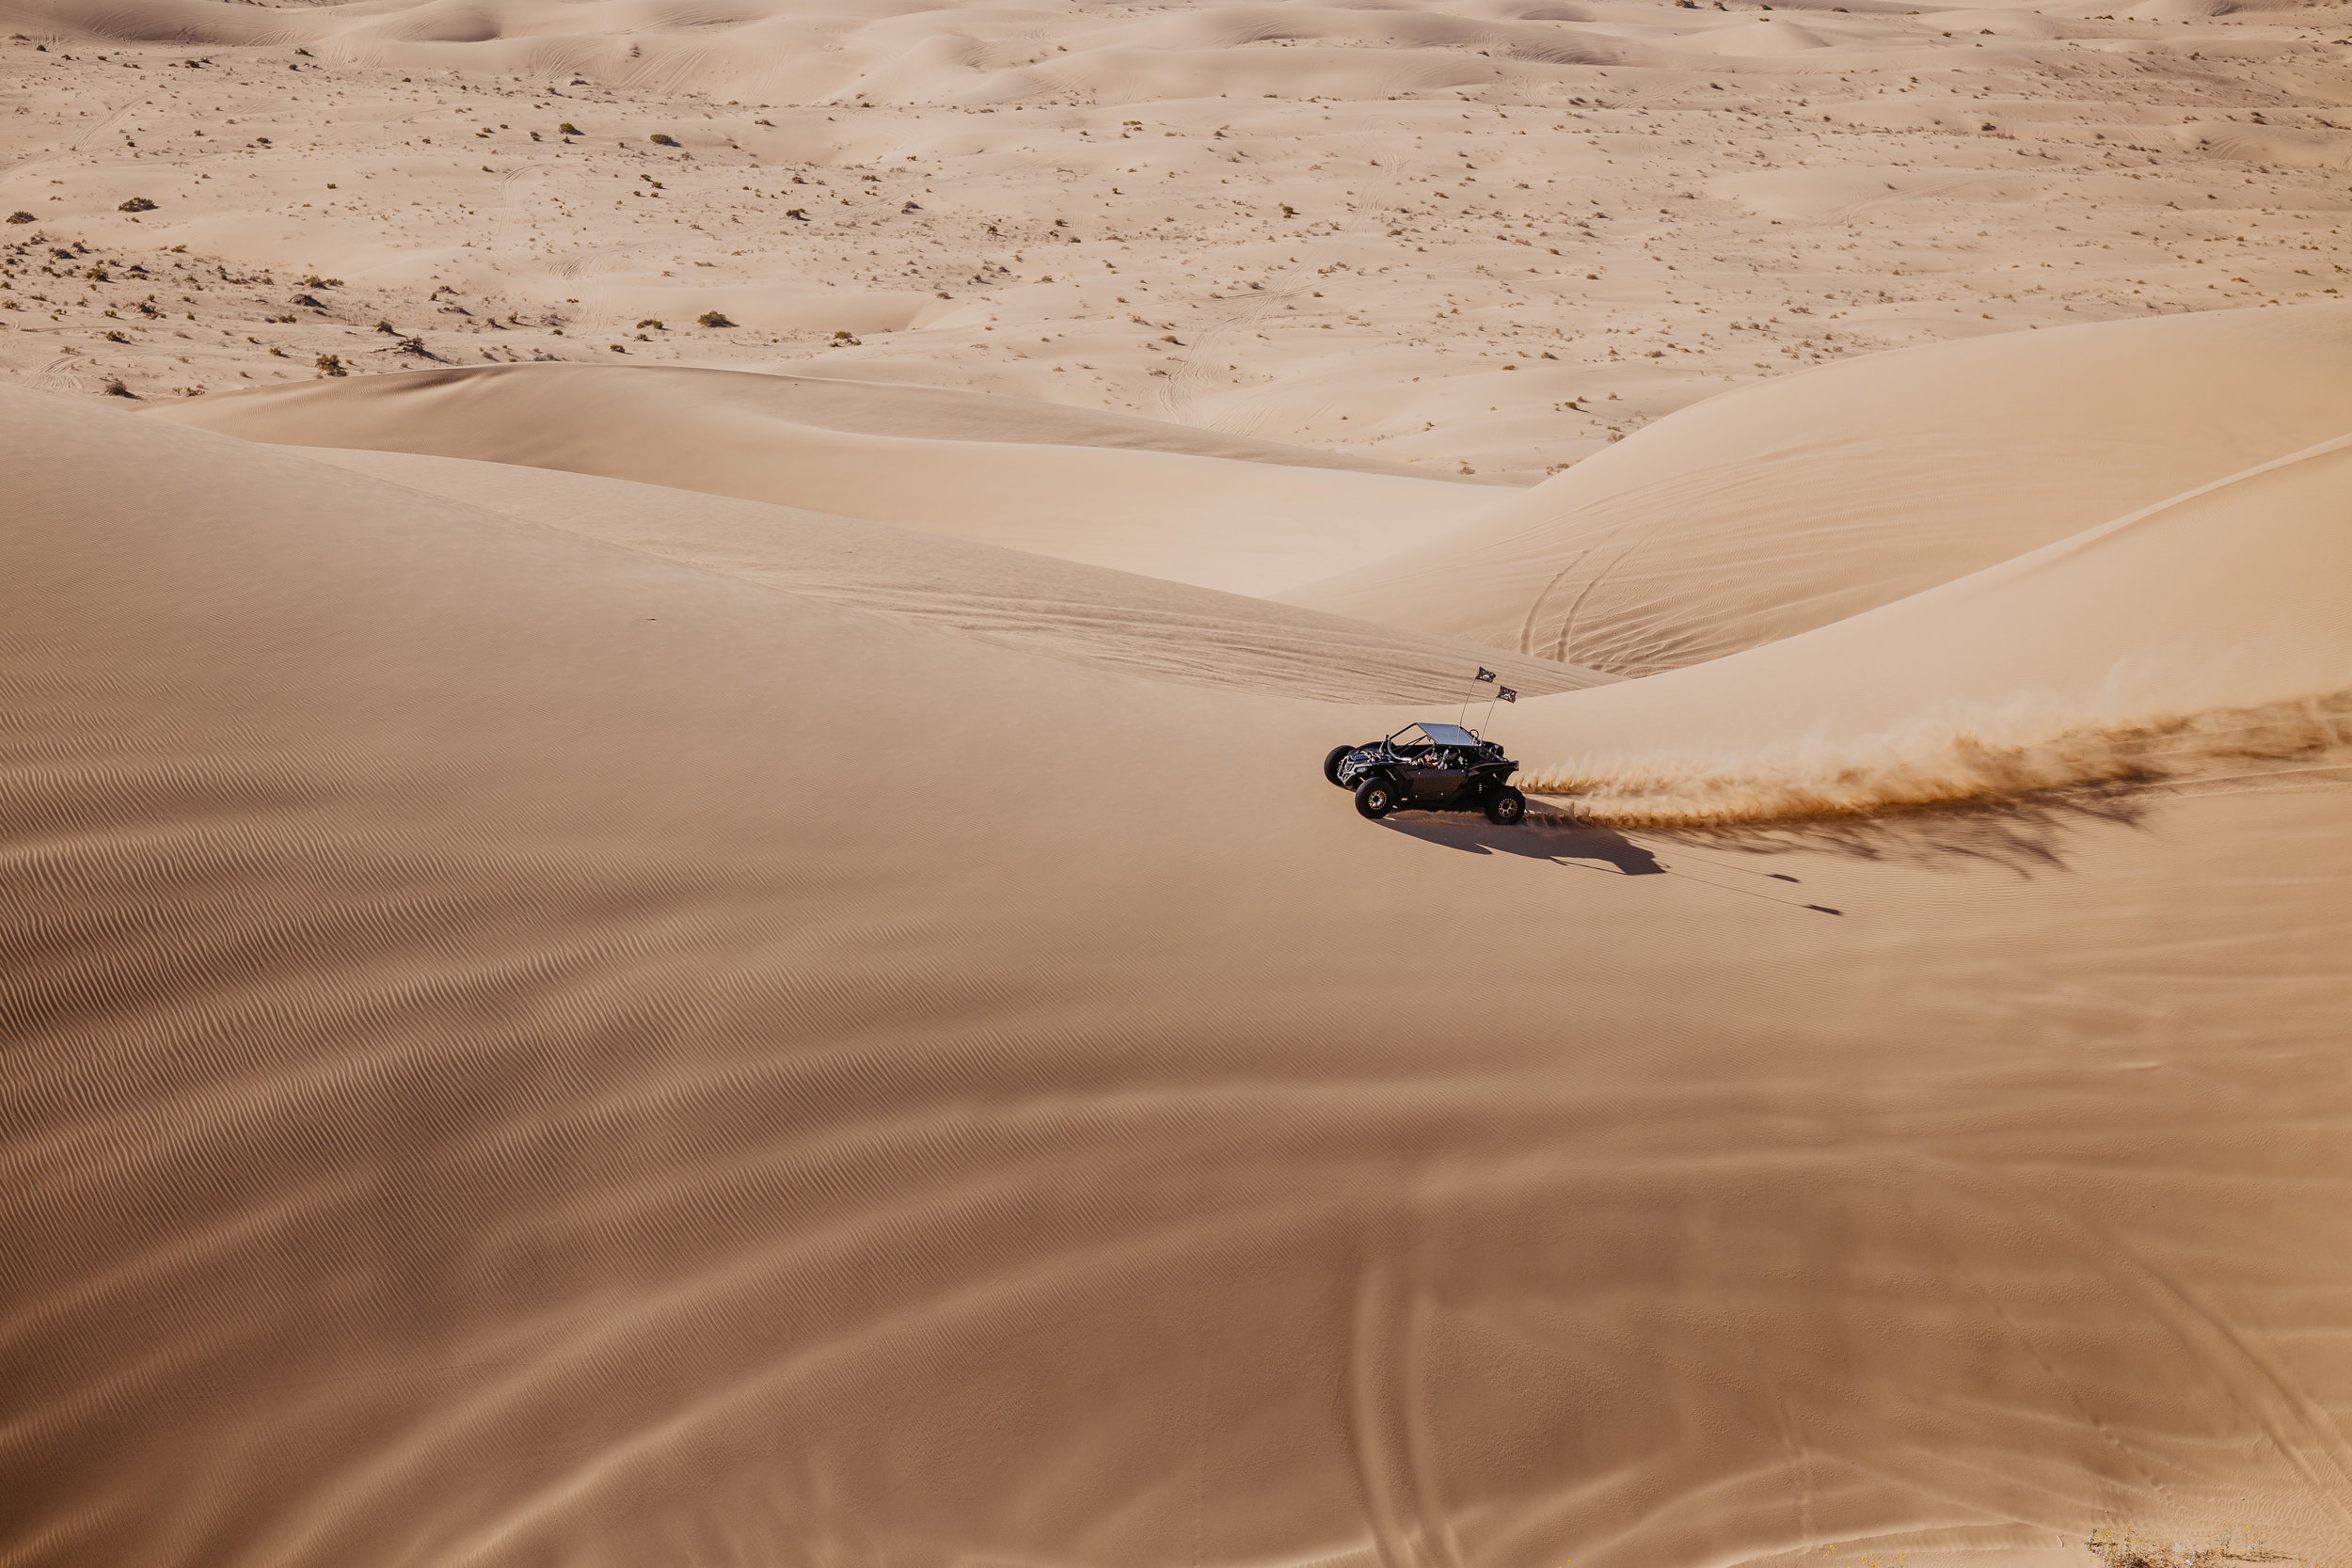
(1951, 760)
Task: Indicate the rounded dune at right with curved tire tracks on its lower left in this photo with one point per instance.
(1810, 500)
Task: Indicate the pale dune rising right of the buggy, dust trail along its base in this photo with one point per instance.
(2212, 622)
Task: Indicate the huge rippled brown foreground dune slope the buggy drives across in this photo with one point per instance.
(528, 1052)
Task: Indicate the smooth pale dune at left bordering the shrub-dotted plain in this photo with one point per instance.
(1005, 478)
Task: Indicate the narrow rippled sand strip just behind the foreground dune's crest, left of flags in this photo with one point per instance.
(1001, 596)
